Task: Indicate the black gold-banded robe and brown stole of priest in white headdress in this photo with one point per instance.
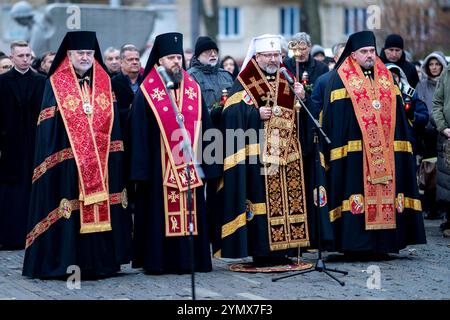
(263, 190)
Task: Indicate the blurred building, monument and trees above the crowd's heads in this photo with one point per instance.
(425, 25)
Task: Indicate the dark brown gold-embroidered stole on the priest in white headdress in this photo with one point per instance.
(283, 166)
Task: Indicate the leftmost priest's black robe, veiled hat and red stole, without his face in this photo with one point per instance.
(78, 201)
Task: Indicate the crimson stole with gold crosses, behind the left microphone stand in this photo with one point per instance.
(174, 164)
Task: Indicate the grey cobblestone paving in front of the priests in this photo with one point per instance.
(418, 272)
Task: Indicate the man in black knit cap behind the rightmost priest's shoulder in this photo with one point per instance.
(393, 52)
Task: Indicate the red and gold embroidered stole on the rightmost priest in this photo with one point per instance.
(374, 103)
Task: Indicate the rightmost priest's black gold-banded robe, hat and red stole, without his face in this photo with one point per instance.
(371, 172)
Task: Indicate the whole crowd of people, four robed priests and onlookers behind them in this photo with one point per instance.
(104, 161)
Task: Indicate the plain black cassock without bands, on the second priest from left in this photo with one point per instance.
(153, 250)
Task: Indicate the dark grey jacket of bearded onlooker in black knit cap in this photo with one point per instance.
(212, 81)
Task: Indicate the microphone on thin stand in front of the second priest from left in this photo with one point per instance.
(189, 156)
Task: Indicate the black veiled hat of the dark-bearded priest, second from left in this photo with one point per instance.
(165, 44)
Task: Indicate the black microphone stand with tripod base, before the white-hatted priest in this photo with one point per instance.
(320, 264)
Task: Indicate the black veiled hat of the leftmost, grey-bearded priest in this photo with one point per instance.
(77, 40)
